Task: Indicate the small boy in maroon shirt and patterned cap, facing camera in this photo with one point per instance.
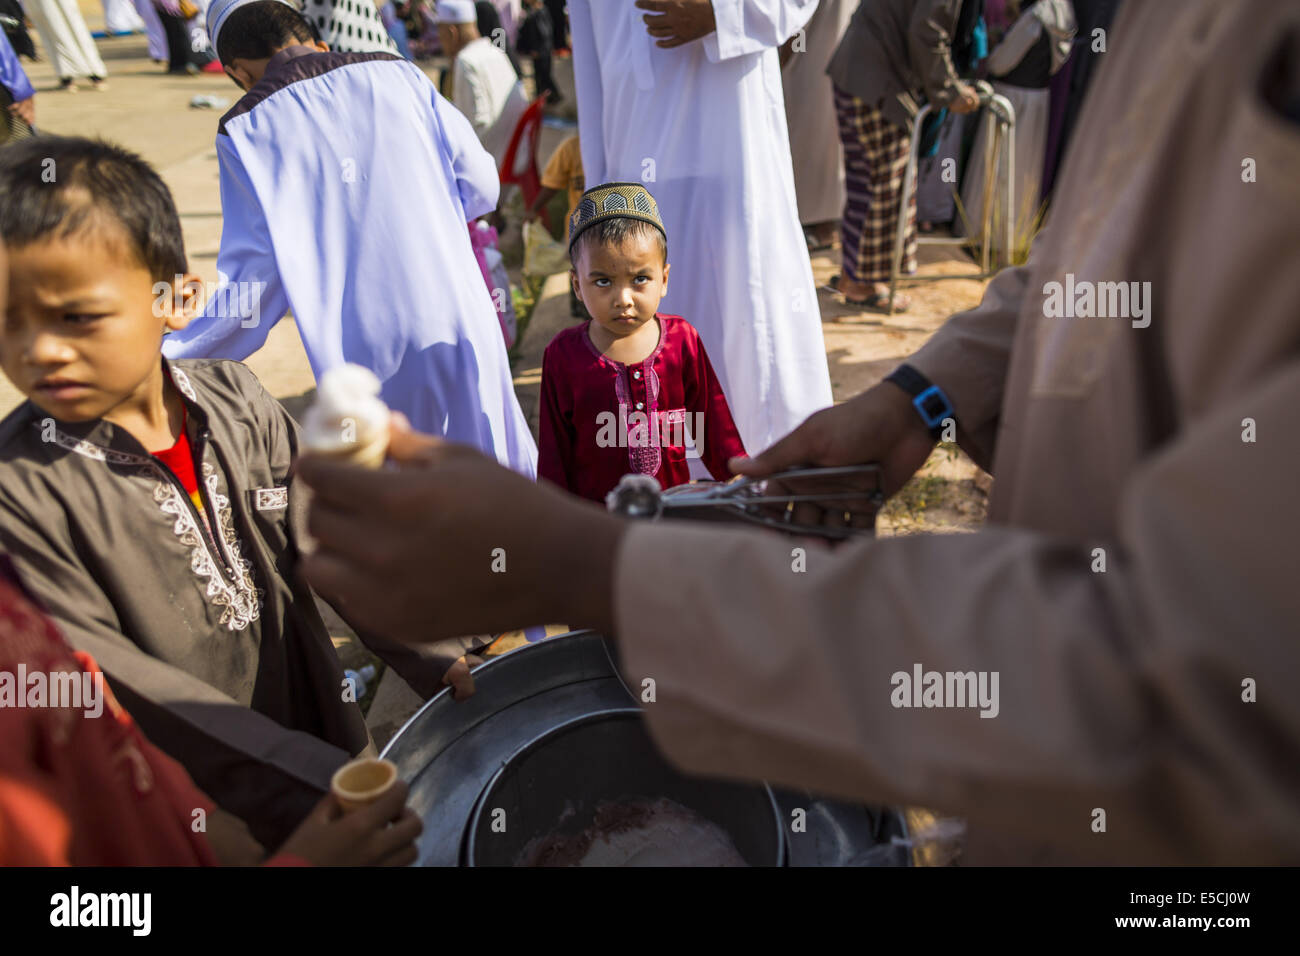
(626, 392)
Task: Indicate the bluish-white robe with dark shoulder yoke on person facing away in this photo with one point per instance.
(348, 196)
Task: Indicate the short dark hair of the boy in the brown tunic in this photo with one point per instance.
(53, 188)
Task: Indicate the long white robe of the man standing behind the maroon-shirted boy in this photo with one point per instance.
(703, 127)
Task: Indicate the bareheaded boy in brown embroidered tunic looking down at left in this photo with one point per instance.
(149, 504)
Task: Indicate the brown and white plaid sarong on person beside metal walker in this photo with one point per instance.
(876, 159)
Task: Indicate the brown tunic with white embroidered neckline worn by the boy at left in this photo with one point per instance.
(211, 641)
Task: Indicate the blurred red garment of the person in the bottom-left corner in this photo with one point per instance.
(81, 790)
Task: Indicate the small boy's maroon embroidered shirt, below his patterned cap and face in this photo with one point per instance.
(588, 397)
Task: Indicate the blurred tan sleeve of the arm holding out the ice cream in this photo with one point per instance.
(1159, 691)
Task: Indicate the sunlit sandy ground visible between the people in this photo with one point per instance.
(149, 111)
